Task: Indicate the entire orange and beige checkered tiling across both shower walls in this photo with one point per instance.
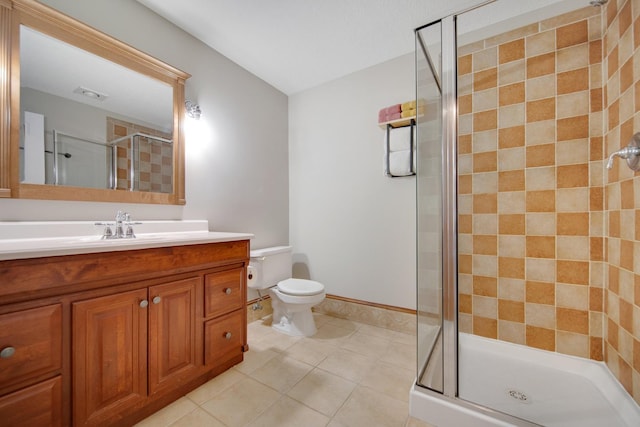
(541, 255)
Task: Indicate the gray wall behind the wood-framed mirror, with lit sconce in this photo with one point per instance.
(236, 160)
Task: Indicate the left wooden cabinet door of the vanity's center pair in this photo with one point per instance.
(109, 356)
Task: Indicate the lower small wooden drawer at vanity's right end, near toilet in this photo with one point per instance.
(223, 338)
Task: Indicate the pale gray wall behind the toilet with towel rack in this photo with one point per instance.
(352, 228)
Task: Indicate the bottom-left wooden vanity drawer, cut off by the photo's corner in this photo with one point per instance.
(38, 405)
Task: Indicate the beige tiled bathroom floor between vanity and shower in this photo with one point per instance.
(348, 375)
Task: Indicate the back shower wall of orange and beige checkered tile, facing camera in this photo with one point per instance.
(530, 204)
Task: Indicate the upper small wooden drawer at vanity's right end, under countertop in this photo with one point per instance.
(223, 292)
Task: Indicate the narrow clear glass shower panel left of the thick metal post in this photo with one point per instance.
(429, 202)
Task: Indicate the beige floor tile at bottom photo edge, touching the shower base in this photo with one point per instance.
(366, 407)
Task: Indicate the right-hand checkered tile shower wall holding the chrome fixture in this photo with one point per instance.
(621, 44)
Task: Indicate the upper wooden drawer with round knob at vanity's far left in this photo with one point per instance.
(36, 339)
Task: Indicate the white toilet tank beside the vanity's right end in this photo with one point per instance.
(269, 266)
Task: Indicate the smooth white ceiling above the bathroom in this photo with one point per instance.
(298, 44)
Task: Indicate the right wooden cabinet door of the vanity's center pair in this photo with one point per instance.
(172, 339)
